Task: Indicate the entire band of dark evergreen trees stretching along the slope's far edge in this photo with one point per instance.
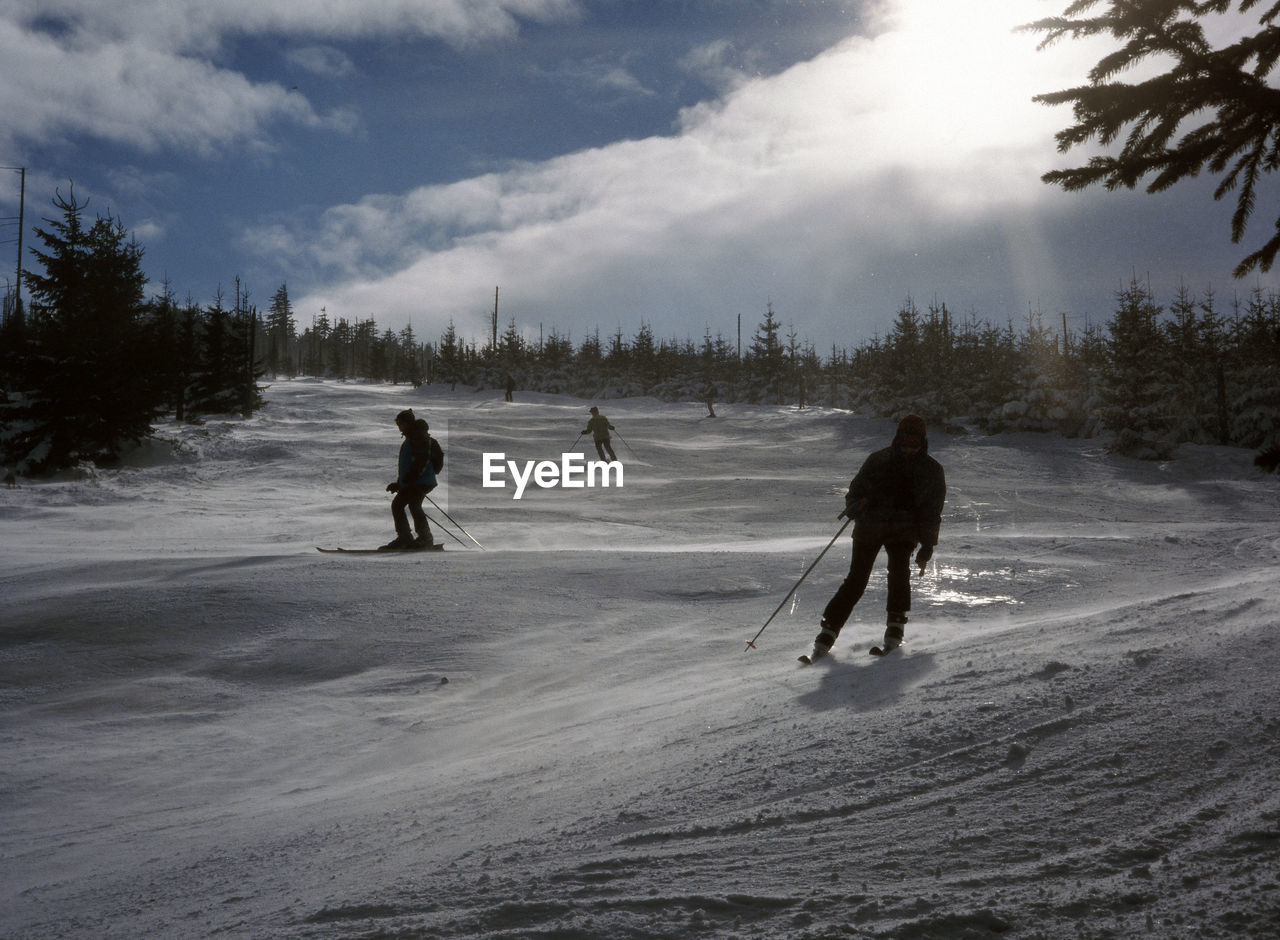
(94, 363)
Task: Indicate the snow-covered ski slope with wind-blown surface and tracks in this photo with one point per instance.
(212, 729)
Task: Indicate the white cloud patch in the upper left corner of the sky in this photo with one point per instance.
(145, 72)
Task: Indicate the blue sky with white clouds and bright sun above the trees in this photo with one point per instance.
(606, 165)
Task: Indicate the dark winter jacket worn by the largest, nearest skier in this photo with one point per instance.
(897, 498)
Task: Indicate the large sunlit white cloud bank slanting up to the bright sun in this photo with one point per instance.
(816, 182)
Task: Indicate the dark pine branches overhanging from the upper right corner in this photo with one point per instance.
(1214, 107)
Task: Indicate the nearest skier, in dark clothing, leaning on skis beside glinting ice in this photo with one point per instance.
(897, 504)
